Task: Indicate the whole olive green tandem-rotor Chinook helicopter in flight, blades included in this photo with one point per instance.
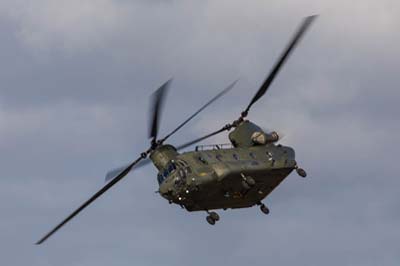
(228, 176)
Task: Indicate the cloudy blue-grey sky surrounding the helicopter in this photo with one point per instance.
(76, 77)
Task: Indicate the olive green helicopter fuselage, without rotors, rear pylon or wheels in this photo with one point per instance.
(213, 179)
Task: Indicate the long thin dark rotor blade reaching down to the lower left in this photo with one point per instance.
(93, 198)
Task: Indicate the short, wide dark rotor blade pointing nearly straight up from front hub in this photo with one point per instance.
(157, 103)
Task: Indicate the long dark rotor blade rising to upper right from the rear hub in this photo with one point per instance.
(278, 65)
